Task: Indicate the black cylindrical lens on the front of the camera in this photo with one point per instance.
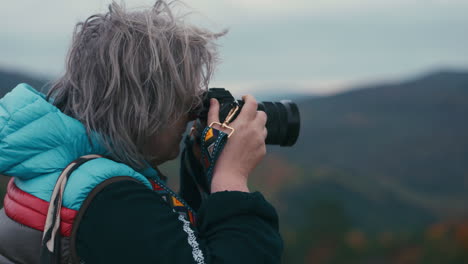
(283, 122)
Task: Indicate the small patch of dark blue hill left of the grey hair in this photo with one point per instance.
(9, 79)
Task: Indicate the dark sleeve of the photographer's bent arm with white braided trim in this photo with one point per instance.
(128, 223)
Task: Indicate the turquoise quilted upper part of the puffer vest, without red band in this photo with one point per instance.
(37, 142)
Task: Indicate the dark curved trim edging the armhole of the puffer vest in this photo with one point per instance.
(75, 259)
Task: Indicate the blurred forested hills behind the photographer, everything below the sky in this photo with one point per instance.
(378, 175)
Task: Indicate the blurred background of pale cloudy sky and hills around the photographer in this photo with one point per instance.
(380, 171)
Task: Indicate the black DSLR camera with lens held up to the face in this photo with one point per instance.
(283, 122)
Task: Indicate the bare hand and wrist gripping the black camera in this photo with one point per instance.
(244, 149)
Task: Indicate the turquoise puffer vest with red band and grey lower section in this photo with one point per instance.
(37, 142)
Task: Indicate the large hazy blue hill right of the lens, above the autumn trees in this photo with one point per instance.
(395, 156)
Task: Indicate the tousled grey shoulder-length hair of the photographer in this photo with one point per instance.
(131, 73)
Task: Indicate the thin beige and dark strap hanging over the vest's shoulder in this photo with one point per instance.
(50, 245)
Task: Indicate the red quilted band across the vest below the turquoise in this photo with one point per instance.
(31, 211)
